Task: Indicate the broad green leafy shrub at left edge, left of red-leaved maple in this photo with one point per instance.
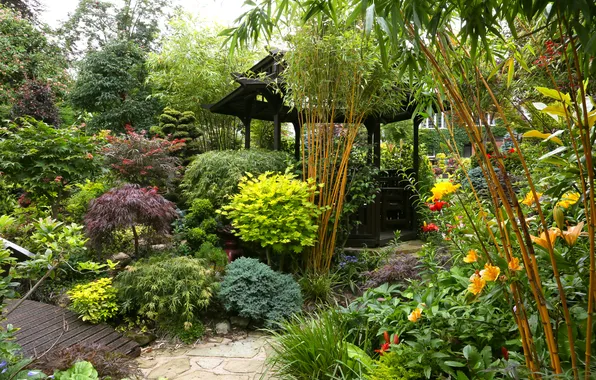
(43, 160)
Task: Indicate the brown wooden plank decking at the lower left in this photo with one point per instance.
(43, 326)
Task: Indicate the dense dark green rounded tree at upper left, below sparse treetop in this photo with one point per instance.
(111, 85)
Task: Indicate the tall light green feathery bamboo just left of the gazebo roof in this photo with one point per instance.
(196, 49)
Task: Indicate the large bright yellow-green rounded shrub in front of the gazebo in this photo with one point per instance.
(275, 211)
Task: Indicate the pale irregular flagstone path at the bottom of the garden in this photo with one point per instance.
(221, 359)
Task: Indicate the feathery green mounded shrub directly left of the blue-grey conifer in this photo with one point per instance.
(166, 290)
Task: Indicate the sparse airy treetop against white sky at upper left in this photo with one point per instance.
(96, 23)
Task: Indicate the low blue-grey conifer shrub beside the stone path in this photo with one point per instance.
(254, 290)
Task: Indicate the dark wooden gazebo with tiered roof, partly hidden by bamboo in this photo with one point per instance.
(393, 209)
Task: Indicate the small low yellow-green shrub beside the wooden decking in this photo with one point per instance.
(94, 302)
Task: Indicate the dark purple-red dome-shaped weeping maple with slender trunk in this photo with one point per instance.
(127, 207)
